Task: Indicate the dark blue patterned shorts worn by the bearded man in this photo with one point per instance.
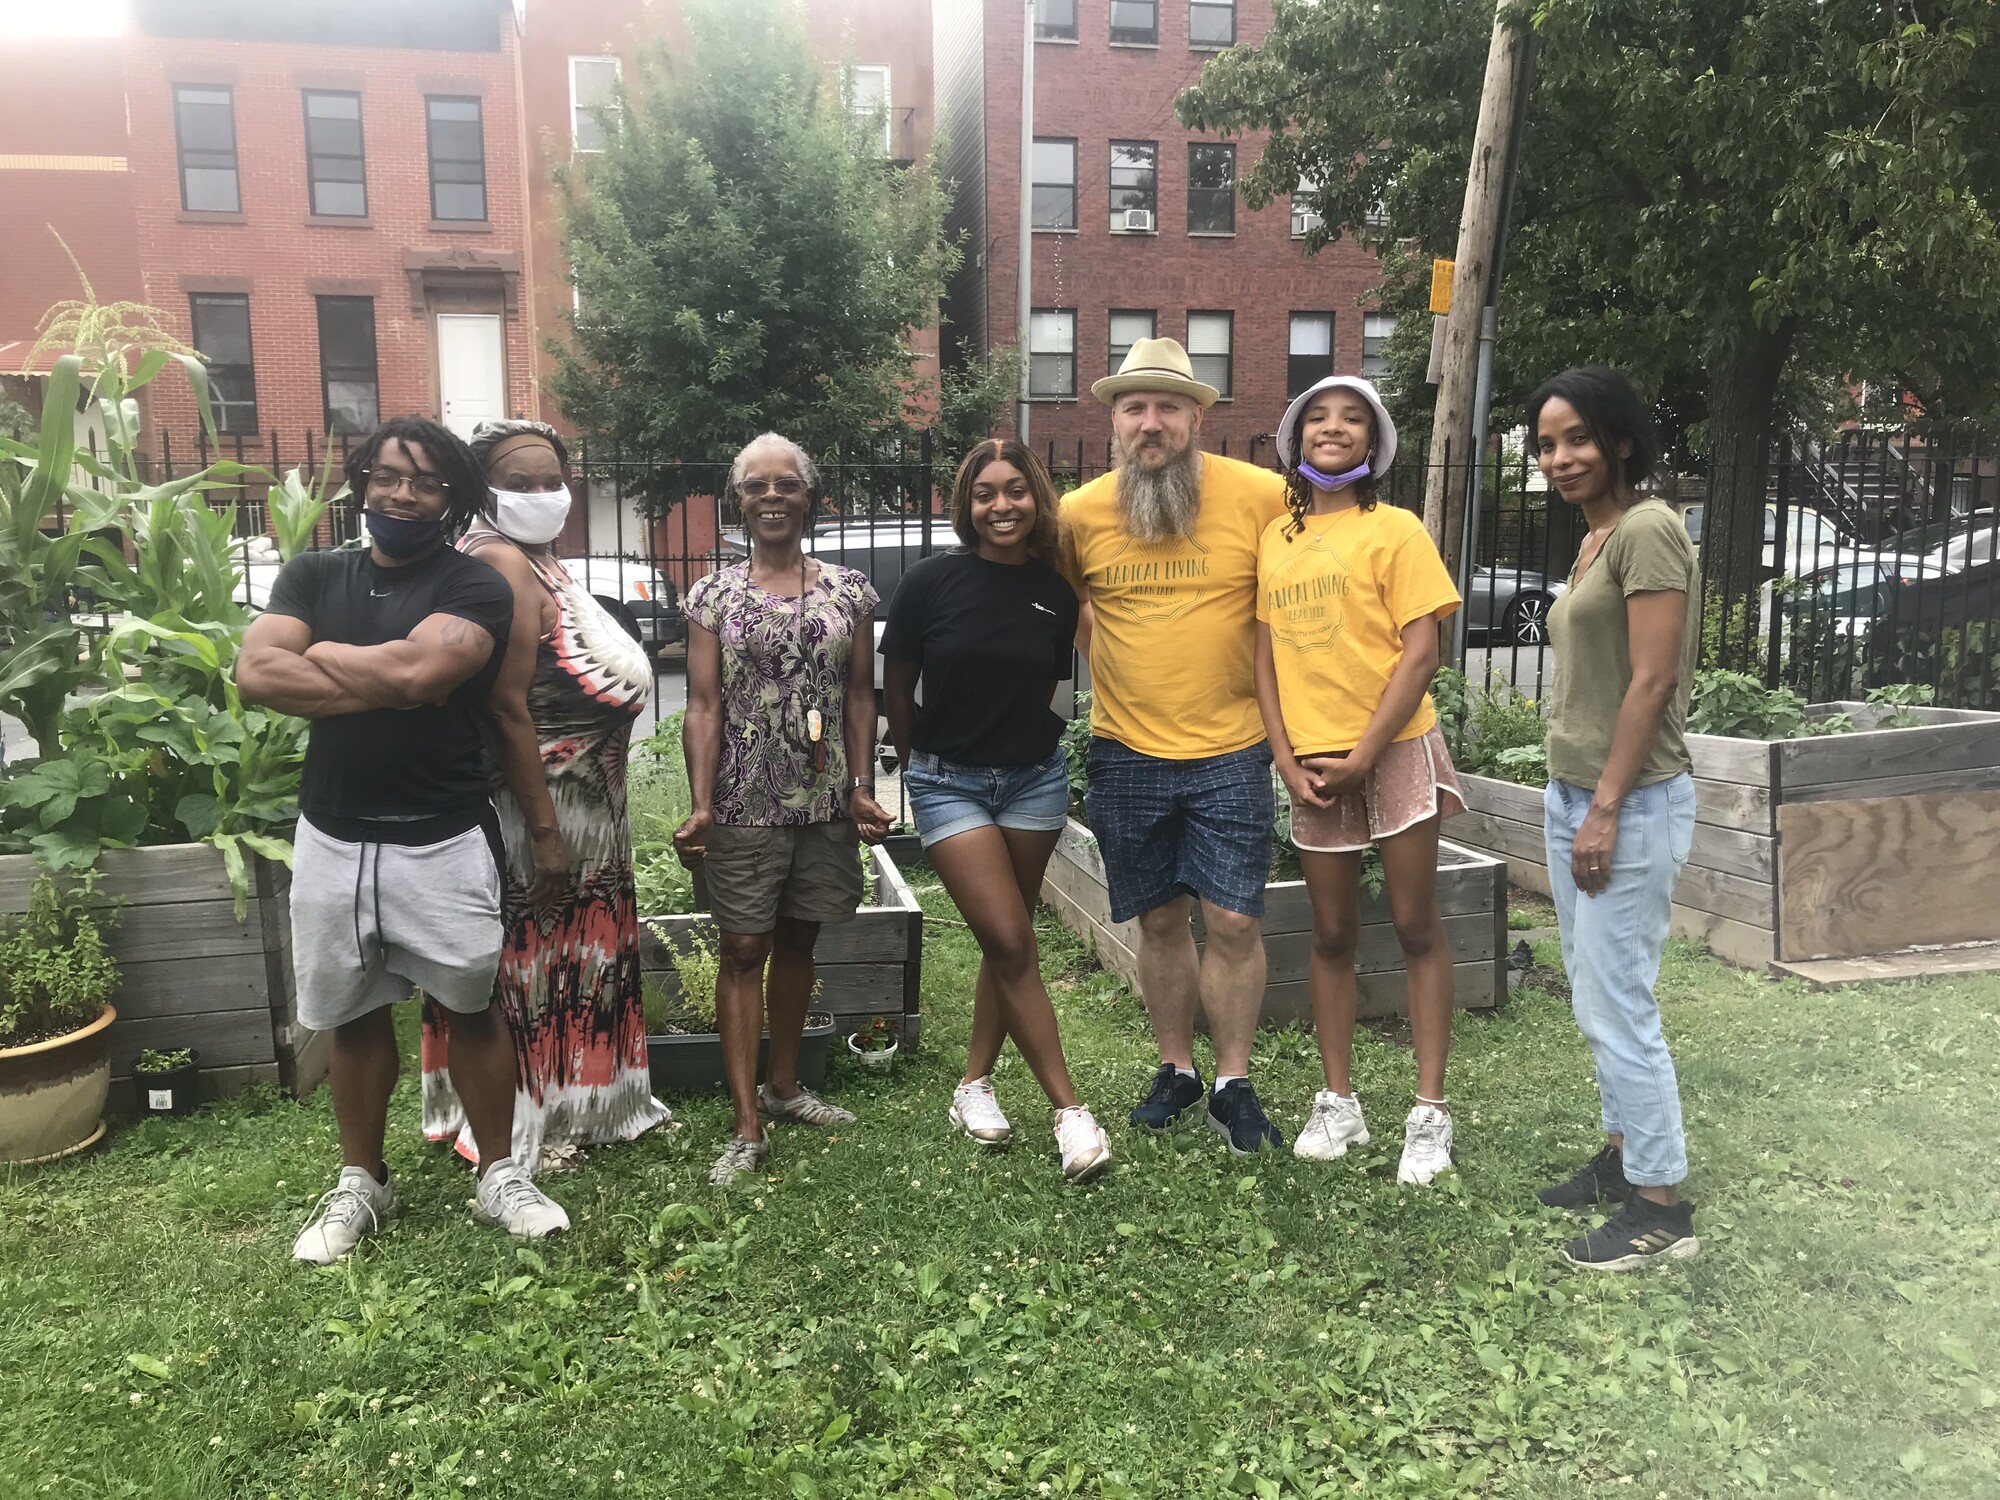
(1183, 827)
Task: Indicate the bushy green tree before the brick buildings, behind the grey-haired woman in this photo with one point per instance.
(745, 257)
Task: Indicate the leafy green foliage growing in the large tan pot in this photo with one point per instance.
(55, 965)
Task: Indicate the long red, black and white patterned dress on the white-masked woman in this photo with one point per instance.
(569, 979)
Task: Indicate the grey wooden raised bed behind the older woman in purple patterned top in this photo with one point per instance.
(869, 967)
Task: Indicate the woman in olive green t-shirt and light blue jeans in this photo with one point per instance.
(1619, 815)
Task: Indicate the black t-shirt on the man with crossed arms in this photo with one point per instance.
(421, 763)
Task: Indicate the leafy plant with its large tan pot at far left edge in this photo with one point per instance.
(57, 981)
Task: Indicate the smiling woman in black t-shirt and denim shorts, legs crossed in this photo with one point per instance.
(991, 631)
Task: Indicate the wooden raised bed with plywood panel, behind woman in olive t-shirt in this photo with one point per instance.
(1833, 847)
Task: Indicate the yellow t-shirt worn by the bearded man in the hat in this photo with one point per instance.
(1173, 625)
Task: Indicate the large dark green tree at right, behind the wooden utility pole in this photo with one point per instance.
(1743, 203)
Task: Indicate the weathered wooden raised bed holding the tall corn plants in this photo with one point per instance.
(191, 973)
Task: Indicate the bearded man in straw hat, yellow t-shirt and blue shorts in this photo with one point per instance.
(1163, 555)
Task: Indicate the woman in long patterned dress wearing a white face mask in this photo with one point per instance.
(563, 711)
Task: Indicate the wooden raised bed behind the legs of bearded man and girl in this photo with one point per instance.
(1471, 893)
